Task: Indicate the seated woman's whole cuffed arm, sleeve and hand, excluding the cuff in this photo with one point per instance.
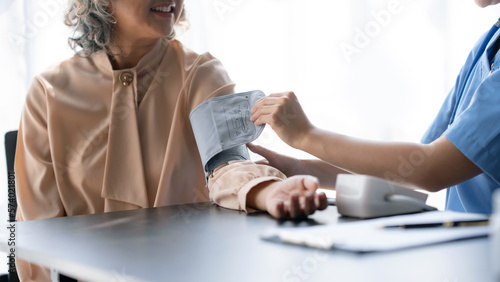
(242, 184)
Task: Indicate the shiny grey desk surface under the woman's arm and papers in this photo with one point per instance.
(203, 242)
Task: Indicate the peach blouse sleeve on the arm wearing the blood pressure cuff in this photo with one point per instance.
(230, 183)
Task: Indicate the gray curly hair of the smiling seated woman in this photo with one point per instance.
(93, 24)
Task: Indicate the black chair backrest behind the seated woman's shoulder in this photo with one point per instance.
(10, 153)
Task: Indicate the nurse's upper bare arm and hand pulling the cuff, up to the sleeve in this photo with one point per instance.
(432, 166)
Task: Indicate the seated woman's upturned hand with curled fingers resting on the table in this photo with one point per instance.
(294, 197)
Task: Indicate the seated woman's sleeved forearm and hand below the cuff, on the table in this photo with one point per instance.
(248, 186)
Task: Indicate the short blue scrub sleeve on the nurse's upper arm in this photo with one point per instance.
(476, 130)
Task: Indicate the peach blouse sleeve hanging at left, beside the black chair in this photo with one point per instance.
(37, 192)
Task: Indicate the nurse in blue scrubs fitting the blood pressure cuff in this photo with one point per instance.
(459, 152)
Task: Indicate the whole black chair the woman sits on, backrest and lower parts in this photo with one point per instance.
(10, 153)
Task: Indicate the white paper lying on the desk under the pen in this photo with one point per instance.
(368, 236)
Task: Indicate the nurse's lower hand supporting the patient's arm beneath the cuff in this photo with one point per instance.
(288, 165)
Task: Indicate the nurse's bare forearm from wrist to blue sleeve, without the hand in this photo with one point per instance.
(432, 167)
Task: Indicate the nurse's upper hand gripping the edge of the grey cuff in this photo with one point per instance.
(284, 114)
